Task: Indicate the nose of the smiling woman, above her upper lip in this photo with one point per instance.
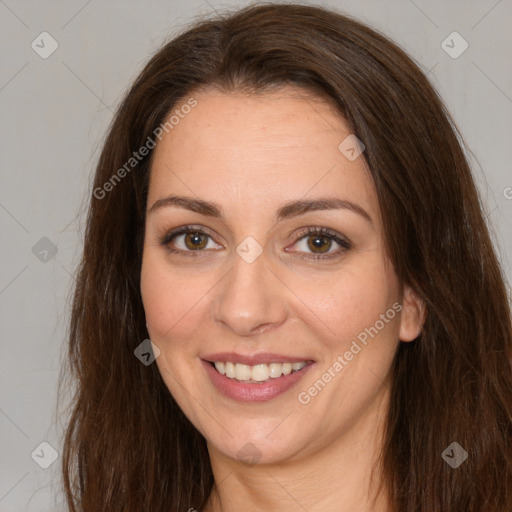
(251, 298)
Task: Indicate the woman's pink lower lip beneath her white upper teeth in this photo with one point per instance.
(249, 391)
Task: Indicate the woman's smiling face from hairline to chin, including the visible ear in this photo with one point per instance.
(285, 264)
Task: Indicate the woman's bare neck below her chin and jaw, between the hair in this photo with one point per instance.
(342, 476)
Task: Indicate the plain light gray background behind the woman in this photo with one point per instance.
(55, 112)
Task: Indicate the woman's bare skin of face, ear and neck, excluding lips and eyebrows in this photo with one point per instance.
(250, 155)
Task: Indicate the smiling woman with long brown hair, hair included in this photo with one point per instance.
(282, 206)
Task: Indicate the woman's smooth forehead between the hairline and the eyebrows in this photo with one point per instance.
(258, 150)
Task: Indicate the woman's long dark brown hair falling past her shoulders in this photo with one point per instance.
(128, 446)
